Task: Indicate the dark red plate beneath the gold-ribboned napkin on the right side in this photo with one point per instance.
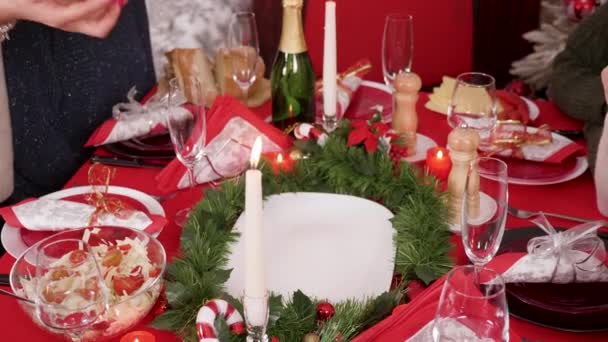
(529, 170)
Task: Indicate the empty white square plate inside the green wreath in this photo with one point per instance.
(333, 247)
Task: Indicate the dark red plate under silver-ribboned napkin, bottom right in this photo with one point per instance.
(577, 307)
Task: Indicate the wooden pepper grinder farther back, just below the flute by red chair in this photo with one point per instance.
(405, 119)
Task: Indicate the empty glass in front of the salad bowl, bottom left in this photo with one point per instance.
(70, 293)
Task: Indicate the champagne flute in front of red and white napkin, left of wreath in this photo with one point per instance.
(187, 127)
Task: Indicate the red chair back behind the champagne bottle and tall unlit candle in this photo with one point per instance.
(443, 34)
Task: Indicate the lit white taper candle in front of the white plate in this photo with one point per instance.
(255, 274)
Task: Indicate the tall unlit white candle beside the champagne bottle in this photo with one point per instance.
(329, 60)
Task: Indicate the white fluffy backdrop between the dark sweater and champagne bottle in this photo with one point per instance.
(189, 24)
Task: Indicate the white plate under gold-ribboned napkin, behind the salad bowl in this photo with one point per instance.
(14, 245)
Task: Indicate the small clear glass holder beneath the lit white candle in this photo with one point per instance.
(256, 317)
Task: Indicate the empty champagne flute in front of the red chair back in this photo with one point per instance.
(397, 46)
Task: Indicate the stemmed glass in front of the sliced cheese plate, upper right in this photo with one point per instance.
(473, 102)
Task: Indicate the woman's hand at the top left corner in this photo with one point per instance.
(91, 17)
